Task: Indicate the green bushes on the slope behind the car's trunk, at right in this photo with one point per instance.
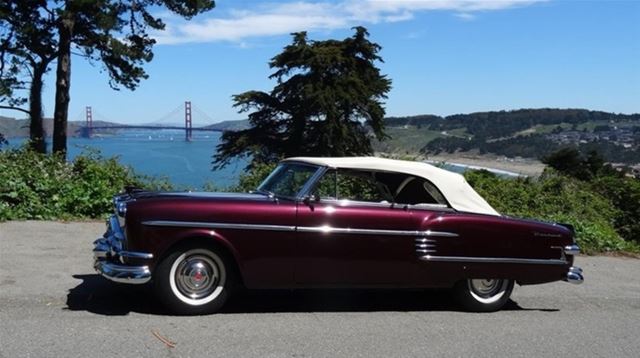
(557, 198)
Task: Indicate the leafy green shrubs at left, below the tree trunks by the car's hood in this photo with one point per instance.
(37, 186)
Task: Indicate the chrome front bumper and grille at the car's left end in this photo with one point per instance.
(108, 255)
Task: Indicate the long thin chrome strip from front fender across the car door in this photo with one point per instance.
(318, 229)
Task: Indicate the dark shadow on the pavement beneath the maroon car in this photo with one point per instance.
(98, 295)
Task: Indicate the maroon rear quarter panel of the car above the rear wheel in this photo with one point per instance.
(486, 236)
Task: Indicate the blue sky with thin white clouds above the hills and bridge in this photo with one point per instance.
(444, 57)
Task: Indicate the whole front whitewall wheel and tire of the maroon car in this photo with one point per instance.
(194, 280)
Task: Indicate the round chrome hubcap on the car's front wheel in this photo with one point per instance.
(197, 276)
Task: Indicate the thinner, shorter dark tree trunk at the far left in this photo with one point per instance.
(36, 130)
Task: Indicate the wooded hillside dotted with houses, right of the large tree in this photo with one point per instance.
(529, 133)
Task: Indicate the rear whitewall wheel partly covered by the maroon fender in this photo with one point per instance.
(483, 295)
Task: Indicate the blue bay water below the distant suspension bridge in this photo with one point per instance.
(162, 153)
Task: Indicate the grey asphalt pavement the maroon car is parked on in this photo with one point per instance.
(53, 305)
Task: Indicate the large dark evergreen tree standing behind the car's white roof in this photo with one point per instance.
(327, 97)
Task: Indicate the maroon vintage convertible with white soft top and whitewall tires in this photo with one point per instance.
(328, 223)
